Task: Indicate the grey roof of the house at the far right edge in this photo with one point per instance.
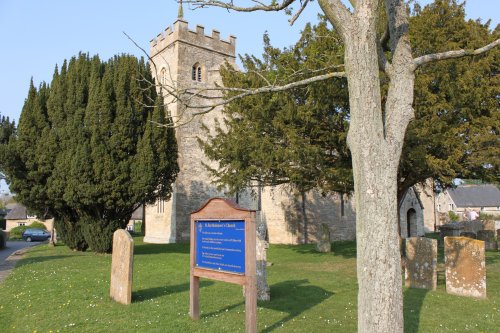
(475, 195)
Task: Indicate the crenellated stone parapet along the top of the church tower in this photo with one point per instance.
(197, 38)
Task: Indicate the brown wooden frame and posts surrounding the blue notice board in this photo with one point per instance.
(219, 209)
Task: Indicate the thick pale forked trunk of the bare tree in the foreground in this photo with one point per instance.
(375, 139)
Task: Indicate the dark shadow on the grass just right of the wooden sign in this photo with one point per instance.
(293, 297)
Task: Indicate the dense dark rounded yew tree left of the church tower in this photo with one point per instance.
(86, 149)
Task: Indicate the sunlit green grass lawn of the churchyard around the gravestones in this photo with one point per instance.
(58, 290)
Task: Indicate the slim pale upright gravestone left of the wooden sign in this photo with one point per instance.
(122, 267)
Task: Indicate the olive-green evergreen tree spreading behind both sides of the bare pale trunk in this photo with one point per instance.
(297, 137)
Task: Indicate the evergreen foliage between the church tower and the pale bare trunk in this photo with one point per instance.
(295, 138)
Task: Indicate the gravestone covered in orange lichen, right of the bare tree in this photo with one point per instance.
(465, 267)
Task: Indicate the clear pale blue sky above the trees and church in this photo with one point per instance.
(37, 35)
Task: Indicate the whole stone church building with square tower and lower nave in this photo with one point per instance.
(183, 58)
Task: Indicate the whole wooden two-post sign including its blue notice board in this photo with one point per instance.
(223, 248)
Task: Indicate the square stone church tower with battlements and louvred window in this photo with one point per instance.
(183, 58)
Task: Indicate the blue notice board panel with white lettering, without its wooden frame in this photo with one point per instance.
(220, 245)
